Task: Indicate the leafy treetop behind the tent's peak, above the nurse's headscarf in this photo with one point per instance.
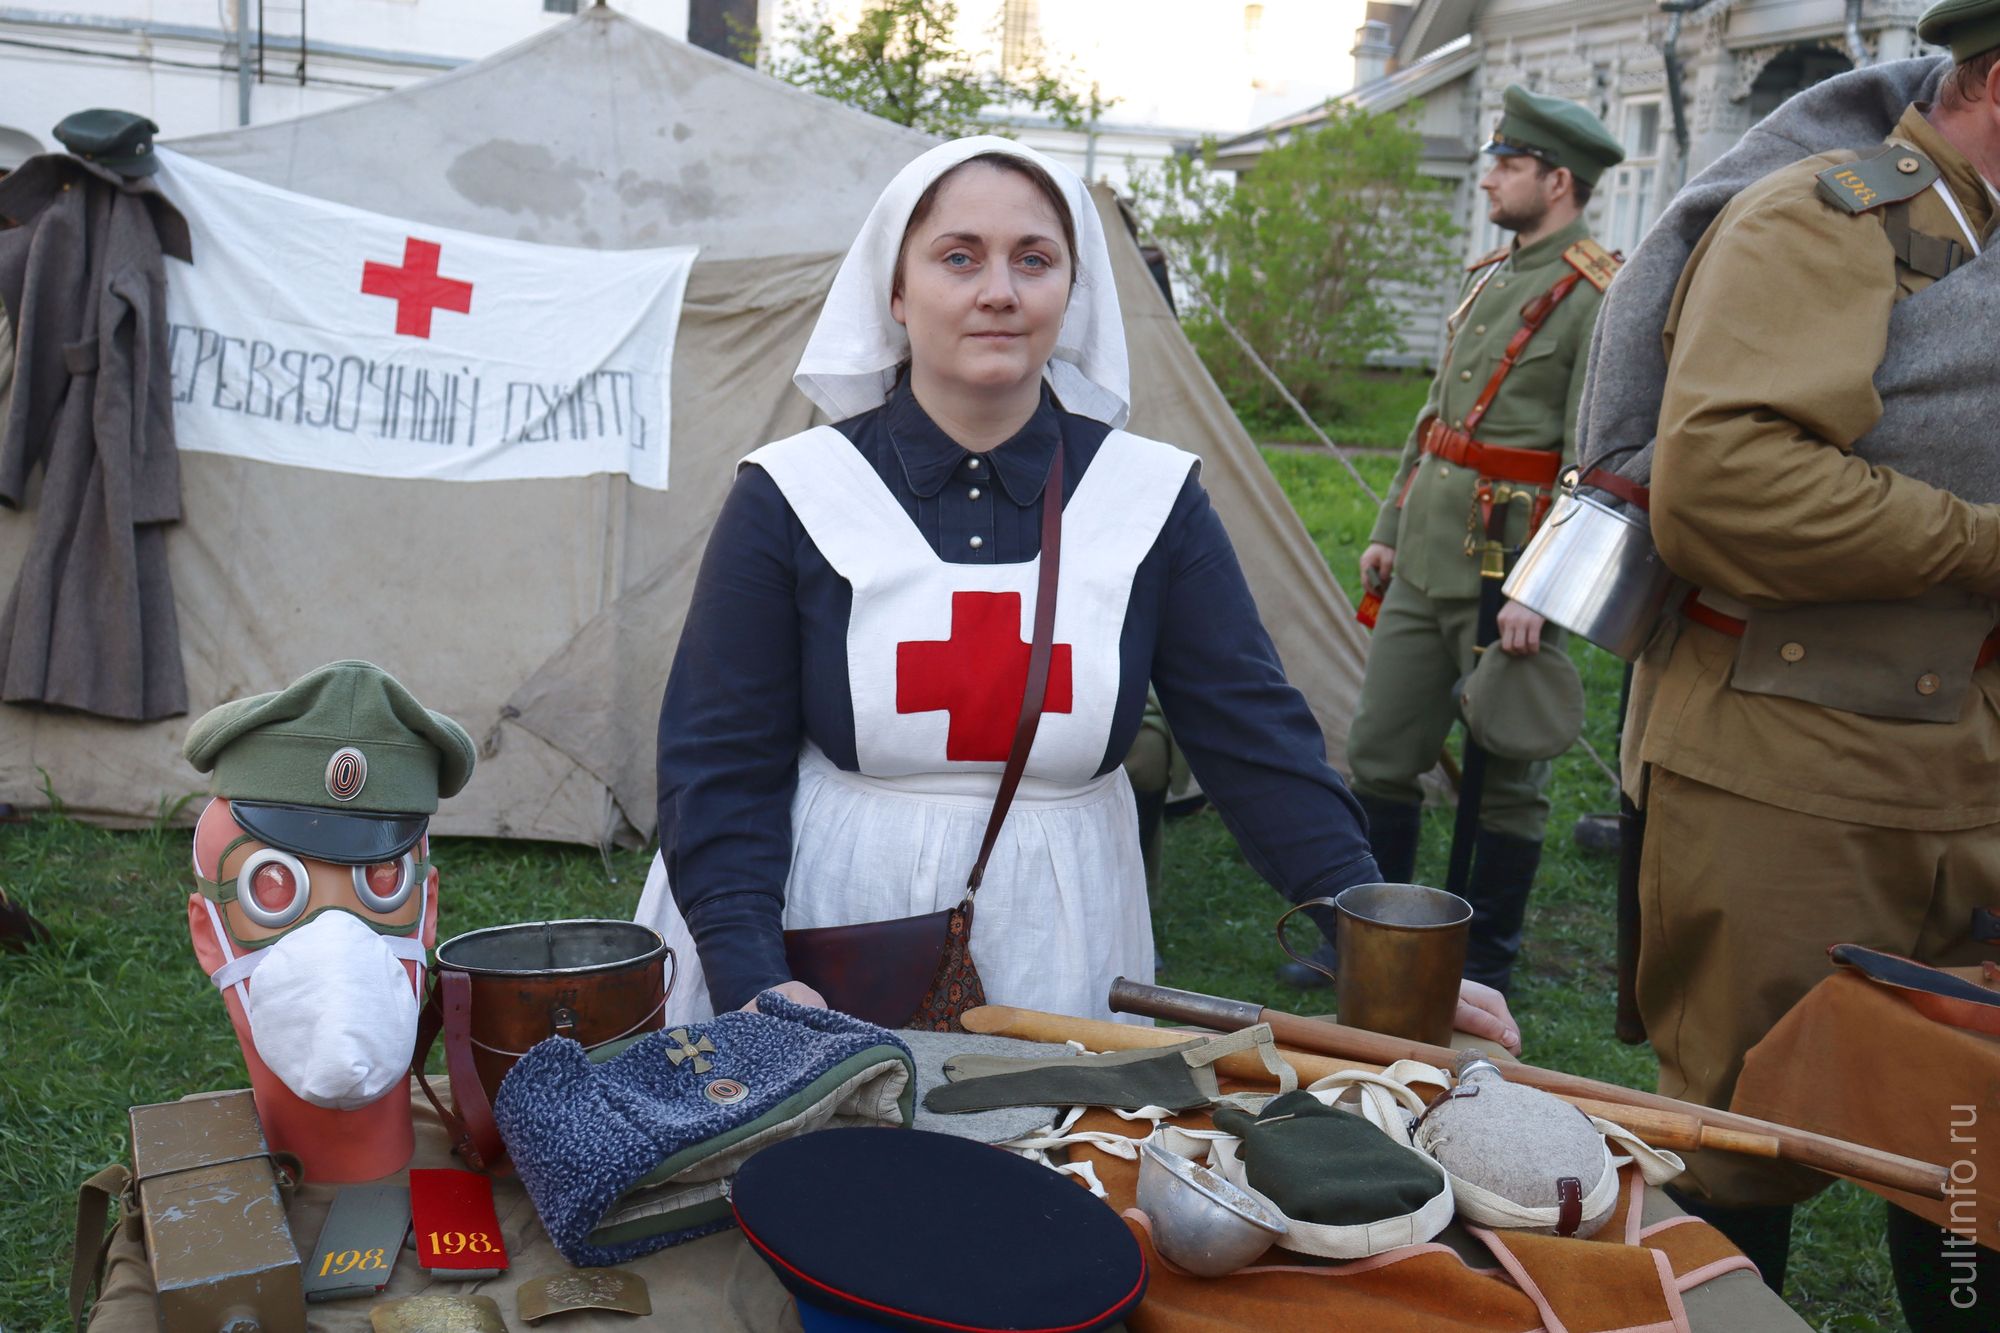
(901, 61)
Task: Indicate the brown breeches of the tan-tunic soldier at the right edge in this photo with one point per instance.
(1739, 904)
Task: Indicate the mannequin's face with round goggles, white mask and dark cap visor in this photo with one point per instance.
(317, 916)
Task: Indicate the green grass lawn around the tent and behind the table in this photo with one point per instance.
(117, 1014)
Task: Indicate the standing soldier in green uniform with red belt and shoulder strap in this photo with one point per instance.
(1499, 425)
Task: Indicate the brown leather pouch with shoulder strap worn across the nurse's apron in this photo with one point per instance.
(917, 972)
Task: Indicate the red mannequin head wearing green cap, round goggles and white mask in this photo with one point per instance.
(315, 896)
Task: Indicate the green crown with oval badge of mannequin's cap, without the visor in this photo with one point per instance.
(345, 738)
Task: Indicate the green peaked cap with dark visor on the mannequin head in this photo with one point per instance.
(343, 766)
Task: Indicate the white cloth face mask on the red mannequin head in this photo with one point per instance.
(333, 1012)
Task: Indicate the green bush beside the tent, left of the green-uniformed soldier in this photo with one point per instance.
(1305, 253)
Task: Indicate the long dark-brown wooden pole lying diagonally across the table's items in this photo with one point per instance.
(1723, 1130)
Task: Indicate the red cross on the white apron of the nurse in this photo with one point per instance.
(979, 678)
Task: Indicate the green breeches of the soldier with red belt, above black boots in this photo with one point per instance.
(1419, 651)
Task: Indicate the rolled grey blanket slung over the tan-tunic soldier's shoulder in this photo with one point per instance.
(1937, 381)
